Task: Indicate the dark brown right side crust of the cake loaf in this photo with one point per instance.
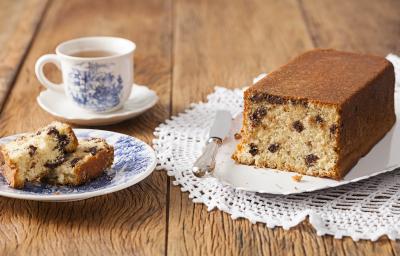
(365, 119)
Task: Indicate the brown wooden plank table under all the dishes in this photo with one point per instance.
(184, 48)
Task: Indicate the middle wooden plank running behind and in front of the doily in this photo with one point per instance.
(228, 43)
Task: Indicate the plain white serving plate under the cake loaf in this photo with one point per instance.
(383, 157)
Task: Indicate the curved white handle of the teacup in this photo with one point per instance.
(48, 58)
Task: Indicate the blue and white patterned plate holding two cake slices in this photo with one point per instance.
(134, 160)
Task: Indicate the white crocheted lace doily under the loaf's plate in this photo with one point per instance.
(363, 210)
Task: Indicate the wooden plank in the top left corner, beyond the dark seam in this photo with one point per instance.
(18, 22)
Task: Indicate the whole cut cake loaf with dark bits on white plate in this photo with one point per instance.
(318, 114)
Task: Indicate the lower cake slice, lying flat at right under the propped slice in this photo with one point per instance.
(90, 159)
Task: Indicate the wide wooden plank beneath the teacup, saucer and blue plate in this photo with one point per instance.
(132, 221)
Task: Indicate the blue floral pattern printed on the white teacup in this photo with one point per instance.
(94, 86)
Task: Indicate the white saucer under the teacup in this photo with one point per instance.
(57, 105)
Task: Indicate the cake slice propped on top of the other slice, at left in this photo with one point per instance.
(30, 157)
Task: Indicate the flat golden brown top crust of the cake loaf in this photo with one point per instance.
(315, 75)
